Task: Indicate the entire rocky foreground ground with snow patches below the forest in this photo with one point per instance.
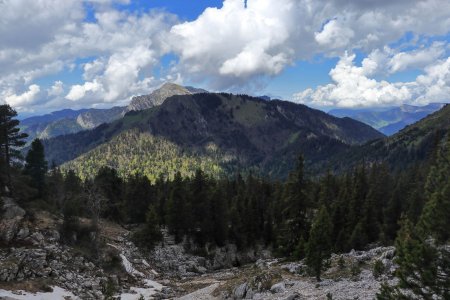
(34, 264)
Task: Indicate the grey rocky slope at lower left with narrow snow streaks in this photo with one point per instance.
(34, 253)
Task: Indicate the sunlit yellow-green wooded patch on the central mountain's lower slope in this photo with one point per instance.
(132, 153)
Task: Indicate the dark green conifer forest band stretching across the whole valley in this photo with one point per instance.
(303, 216)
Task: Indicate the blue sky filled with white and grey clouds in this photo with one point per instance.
(323, 53)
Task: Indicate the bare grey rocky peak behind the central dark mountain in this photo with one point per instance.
(158, 96)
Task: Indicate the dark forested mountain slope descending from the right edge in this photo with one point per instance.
(411, 145)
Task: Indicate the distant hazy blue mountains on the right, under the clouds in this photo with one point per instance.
(389, 120)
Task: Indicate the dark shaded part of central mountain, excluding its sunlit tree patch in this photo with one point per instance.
(252, 132)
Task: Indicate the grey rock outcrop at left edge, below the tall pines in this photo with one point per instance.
(10, 219)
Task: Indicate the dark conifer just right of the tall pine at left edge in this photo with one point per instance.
(36, 166)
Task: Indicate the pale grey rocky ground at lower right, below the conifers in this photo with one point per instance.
(271, 279)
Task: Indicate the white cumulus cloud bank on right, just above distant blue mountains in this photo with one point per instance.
(353, 87)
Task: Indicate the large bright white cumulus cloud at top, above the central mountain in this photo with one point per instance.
(235, 41)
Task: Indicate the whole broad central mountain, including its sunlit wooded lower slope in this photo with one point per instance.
(227, 132)
